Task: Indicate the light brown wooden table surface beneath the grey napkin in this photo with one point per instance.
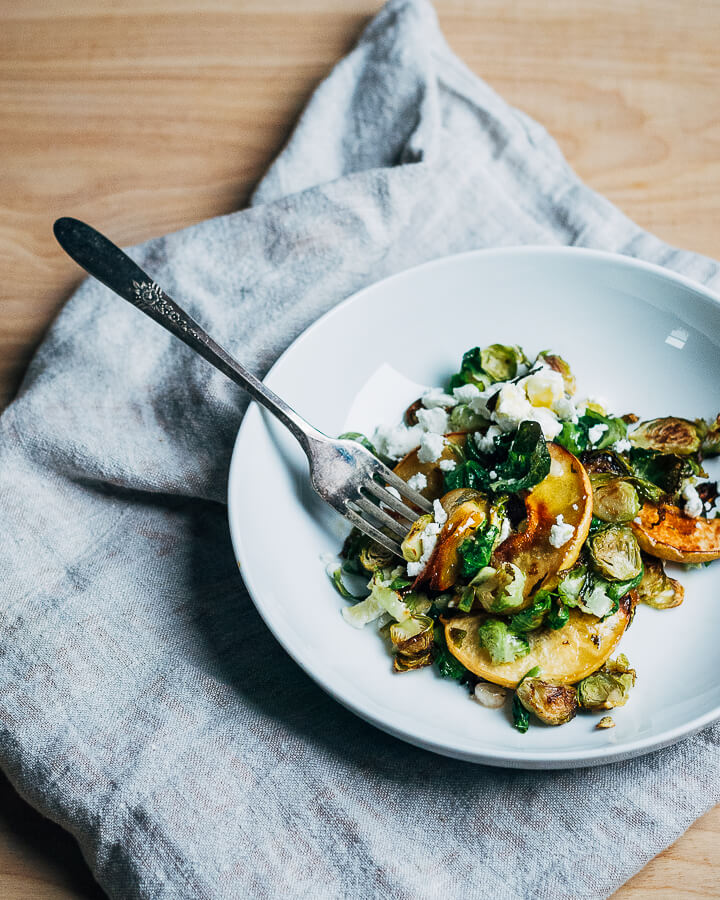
(143, 116)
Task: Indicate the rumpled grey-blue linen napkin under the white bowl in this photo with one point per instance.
(143, 704)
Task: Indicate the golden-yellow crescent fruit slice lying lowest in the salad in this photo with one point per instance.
(565, 656)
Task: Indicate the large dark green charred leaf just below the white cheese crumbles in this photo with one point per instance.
(519, 463)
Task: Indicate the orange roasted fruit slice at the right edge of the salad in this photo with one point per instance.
(665, 531)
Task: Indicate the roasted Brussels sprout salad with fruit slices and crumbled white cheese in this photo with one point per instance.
(553, 518)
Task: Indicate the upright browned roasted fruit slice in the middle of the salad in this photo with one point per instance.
(564, 492)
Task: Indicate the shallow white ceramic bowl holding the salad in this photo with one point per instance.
(643, 338)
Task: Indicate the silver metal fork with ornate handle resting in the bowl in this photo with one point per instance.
(345, 474)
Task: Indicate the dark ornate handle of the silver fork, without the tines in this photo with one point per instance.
(105, 261)
